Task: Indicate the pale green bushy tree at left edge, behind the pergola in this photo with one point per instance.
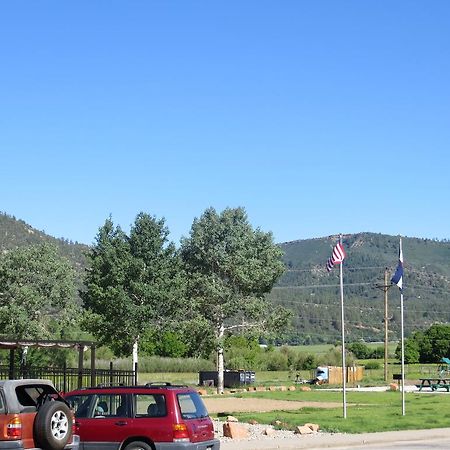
(37, 293)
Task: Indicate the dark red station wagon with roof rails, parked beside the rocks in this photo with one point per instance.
(150, 417)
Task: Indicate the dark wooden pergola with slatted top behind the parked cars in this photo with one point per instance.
(80, 346)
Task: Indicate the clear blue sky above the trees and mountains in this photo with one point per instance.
(318, 117)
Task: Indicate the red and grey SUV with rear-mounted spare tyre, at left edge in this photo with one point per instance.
(34, 416)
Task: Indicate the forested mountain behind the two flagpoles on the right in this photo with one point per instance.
(313, 293)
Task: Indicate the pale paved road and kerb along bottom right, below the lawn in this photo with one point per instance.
(438, 438)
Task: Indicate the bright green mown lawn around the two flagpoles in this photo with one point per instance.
(366, 411)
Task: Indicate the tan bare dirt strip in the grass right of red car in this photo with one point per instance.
(248, 404)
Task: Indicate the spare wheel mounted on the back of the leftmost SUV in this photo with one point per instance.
(53, 425)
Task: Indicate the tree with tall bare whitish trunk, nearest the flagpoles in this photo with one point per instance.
(230, 268)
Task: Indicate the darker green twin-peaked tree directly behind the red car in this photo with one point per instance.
(133, 283)
